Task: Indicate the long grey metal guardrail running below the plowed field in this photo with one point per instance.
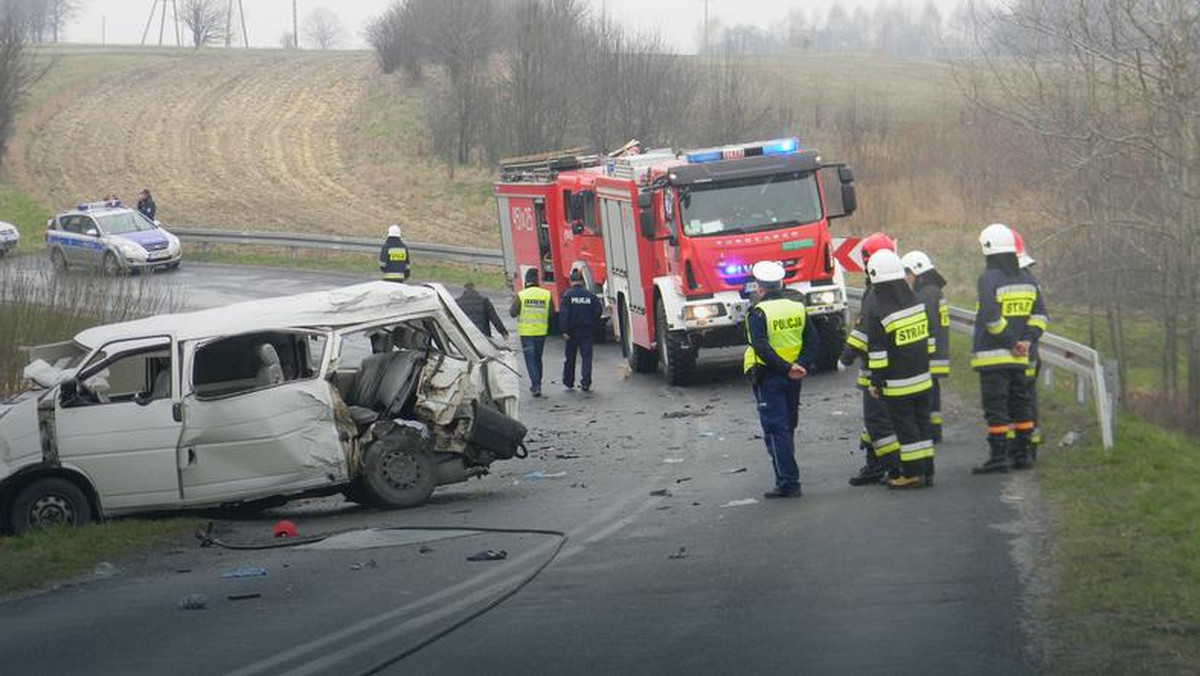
(333, 243)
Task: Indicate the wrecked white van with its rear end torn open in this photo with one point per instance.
(381, 391)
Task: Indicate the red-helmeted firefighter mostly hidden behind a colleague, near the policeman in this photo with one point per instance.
(878, 440)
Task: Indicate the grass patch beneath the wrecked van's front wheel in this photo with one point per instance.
(37, 560)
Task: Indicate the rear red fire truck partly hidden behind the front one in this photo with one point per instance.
(550, 222)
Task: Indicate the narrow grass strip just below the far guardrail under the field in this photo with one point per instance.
(485, 278)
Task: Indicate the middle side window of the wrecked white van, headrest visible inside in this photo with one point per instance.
(248, 363)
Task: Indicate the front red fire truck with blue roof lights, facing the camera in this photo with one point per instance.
(682, 232)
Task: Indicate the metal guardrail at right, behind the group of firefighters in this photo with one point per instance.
(1081, 361)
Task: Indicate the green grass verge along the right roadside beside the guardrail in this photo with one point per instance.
(1126, 552)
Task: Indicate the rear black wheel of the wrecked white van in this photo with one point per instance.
(399, 470)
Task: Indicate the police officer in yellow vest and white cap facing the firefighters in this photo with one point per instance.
(781, 356)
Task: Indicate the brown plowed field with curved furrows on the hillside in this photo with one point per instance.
(266, 141)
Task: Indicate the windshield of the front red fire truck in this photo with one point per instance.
(759, 204)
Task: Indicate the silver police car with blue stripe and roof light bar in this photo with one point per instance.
(111, 237)
